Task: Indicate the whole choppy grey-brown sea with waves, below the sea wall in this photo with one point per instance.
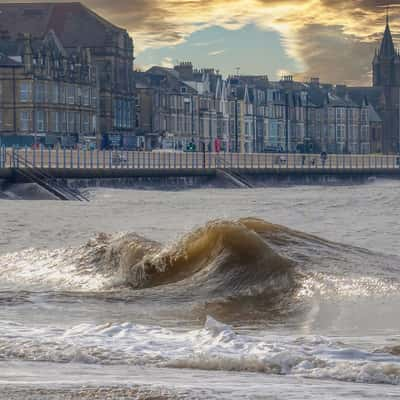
(268, 293)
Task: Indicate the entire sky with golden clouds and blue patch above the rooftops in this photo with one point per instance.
(334, 40)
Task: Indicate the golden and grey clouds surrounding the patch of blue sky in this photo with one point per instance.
(330, 38)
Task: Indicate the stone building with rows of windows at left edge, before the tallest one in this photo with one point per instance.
(48, 94)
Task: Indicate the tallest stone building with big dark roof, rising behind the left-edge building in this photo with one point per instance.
(79, 29)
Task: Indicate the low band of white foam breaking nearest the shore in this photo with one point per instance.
(215, 347)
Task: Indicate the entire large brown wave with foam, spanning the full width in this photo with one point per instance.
(247, 261)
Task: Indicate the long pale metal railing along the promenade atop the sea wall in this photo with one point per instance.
(59, 158)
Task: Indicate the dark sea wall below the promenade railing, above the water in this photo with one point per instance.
(180, 179)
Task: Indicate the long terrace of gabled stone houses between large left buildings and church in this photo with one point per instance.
(248, 114)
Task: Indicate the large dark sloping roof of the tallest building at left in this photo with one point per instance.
(74, 24)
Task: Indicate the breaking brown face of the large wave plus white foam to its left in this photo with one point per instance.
(225, 255)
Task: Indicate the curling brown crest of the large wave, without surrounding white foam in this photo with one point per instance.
(222, 255)
